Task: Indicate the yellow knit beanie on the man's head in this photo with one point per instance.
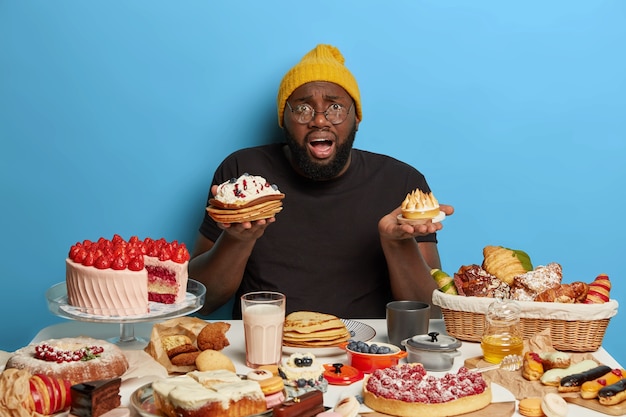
(323, 63)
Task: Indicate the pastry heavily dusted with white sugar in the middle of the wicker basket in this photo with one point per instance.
(527, 286)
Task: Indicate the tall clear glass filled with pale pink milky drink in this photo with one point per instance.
(263, 315)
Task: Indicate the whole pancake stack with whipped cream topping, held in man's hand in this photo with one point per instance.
(247, 198)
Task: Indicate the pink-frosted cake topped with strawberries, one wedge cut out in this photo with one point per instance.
(118, 278)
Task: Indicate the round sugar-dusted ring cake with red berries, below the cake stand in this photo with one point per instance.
(79, 359)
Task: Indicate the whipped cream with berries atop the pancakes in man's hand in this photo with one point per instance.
(246, 188)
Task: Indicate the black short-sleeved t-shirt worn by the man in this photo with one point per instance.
(323, 252)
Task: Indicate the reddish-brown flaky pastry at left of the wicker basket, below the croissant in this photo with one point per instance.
(473, 280)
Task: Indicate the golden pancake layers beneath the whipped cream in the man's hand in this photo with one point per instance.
(260, 208)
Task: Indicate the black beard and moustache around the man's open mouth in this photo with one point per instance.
(316, 171)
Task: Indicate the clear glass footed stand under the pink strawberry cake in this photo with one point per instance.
(58, 305)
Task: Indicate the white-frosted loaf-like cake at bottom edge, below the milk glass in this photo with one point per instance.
(208, 394)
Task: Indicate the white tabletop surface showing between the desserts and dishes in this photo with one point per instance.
(236, 351)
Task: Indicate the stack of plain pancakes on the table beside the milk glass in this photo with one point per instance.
(310, 329)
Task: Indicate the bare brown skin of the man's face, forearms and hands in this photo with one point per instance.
(220, 265)
